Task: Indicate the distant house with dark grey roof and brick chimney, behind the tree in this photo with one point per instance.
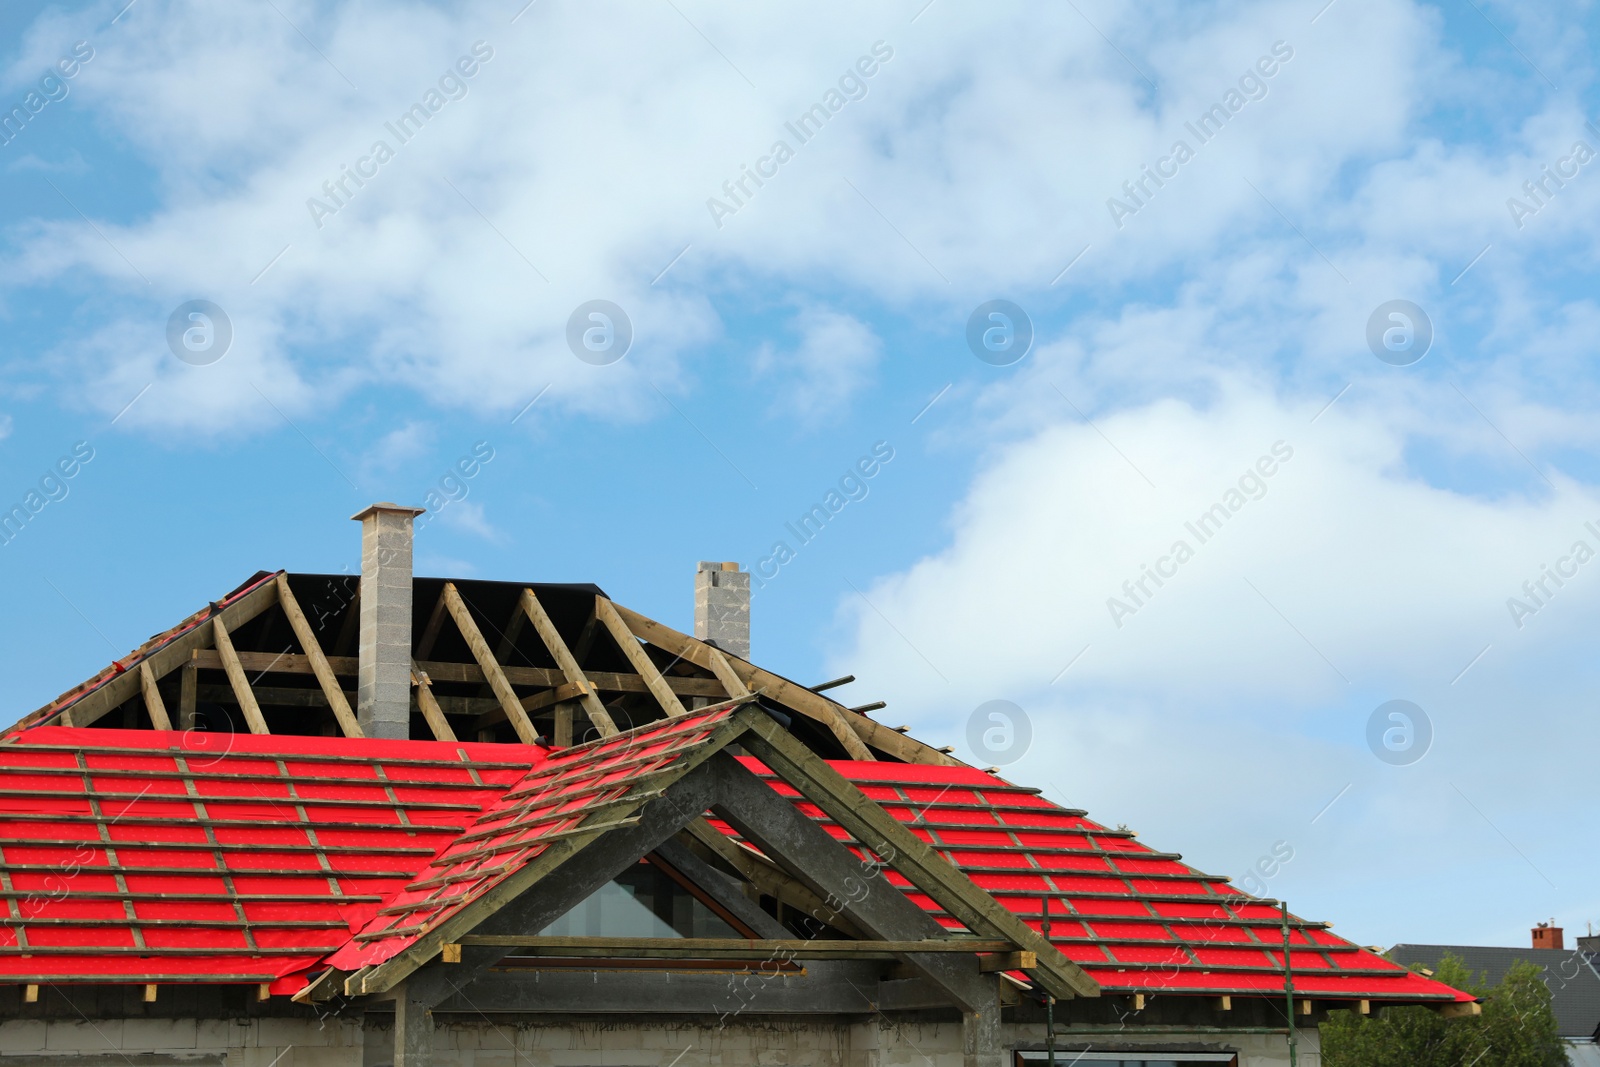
(1569, 973)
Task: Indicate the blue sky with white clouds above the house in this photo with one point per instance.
(1209, 385)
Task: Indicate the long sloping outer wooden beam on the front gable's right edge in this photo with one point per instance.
(910, 855)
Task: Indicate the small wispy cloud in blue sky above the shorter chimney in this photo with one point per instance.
(834, 359)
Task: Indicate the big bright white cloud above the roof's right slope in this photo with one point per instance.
(1233, 706)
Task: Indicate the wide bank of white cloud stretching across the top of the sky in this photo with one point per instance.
(953, 178)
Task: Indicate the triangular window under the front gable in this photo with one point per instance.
(644, 901)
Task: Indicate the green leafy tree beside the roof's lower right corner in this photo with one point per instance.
(1518, 1028)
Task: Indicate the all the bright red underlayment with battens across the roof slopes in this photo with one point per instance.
(145, 857)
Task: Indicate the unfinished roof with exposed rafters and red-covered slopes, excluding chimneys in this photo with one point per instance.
(207, 810)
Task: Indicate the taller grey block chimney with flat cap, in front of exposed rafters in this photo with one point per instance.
(383, 701)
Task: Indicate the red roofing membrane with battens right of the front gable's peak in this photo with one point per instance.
(1134, 919)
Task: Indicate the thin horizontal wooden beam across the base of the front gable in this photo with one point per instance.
(727, 948)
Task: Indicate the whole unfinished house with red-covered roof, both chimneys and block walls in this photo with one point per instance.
(505, 823)
